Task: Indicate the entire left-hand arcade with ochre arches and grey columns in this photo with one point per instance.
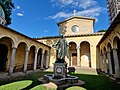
(19, 53)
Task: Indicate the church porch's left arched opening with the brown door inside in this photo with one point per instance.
(73, 54)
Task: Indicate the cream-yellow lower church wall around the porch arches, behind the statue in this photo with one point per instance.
(93, 40)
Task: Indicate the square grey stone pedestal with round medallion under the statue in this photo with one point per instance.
(60, 70)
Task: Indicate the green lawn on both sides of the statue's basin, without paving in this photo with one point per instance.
(30, 82)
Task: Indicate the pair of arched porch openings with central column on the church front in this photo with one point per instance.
(80, 54)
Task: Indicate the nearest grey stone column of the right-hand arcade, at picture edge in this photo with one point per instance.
(117, 69)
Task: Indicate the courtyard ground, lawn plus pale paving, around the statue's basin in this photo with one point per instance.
(93, 81)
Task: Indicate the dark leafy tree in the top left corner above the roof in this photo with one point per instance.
(7, 6)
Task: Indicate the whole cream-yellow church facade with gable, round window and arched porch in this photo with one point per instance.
(79, 33)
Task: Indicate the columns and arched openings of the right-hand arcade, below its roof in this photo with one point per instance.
(110, 57)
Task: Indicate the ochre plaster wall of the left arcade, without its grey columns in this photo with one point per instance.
(13, 39)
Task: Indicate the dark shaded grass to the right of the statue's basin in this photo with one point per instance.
(98, 82)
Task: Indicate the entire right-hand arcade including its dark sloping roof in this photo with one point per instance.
(109, 49)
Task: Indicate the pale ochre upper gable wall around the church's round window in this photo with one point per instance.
(85, 26)
